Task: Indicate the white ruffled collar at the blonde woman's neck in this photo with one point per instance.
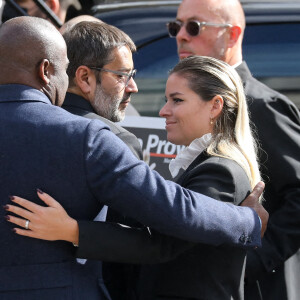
(188, 155)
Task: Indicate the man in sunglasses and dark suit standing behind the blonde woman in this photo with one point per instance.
(215, 28)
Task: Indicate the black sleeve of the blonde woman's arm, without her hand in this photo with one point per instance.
(119, 243)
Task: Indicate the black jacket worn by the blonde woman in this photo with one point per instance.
(193, 271)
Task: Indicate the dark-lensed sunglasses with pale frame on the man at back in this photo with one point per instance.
(193, 28)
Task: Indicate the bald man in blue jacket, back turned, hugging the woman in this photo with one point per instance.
(84, 165)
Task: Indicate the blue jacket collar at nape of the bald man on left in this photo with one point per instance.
(19, 92)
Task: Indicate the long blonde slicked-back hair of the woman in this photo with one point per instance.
(232, 136)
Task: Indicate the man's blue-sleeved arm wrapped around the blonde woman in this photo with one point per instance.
(163, 205)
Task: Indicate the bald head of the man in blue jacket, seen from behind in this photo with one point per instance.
(33, 52)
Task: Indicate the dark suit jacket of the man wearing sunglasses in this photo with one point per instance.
(277, 122)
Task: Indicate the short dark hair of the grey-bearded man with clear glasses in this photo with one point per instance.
(91, 44)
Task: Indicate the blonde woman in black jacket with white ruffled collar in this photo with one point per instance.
(206, 111)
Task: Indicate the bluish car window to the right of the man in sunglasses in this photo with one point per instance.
(272, 53)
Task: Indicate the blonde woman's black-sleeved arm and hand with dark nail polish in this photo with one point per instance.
(96, 240)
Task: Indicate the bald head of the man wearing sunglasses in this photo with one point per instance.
(223, 42)
